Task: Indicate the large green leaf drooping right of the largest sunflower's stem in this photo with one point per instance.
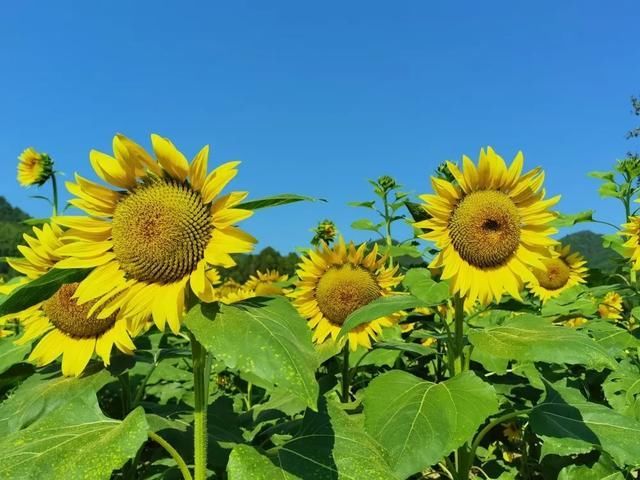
(264, 337)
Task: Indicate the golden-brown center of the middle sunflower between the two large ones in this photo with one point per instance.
(343, 290)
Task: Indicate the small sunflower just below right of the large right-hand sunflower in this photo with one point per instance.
(562, 271)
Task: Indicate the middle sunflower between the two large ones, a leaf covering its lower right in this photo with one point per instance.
(336, 281)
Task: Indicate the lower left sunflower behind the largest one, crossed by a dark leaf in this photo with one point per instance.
(66, 328)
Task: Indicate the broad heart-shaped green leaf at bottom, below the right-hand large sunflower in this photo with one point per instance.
(418, 422)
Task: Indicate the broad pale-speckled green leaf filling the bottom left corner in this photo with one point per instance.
(69, 437)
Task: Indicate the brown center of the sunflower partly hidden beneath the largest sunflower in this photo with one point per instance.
(72, 319)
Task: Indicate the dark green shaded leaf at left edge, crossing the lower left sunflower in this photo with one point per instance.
(40, 289)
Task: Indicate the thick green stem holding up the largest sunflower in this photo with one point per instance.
(201, 373)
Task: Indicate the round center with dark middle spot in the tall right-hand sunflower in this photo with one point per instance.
(485, 228)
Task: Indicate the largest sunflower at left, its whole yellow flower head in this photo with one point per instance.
(162, 229)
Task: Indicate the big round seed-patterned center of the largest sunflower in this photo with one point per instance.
(160, 231)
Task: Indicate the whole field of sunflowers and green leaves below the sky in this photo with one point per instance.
(133, 345)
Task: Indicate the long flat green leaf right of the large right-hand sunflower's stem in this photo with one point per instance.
(534, 339)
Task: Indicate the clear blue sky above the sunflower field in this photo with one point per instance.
(316, 97)
